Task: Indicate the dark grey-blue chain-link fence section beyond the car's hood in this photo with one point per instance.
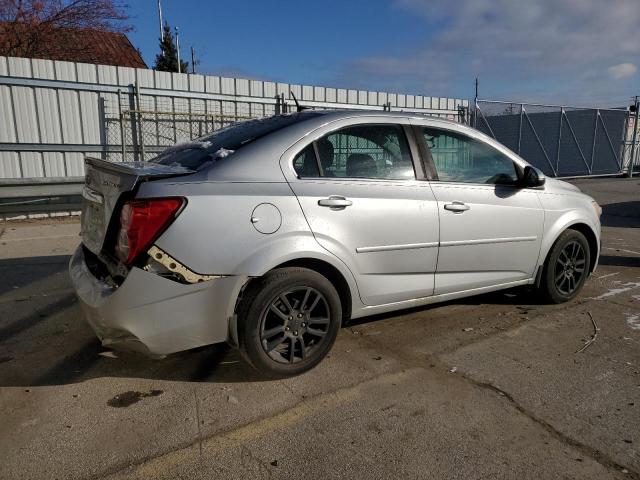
(561, 141)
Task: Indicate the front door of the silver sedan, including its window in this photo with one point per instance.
(490, 228)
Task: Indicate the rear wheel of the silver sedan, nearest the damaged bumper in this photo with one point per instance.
(288, 321)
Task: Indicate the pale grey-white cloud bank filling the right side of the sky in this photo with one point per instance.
(548, 50)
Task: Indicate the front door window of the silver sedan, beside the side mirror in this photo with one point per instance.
(459, 158)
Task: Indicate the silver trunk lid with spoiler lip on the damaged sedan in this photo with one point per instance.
(105, 184)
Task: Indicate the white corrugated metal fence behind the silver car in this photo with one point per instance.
(53, 113)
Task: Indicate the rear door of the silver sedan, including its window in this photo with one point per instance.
(358, 190)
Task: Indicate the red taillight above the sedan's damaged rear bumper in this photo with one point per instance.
(141, 222)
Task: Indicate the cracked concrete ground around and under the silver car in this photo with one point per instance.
(487, 387)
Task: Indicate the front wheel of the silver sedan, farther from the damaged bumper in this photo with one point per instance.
(567, 267)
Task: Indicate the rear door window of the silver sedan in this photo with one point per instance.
(366, 151)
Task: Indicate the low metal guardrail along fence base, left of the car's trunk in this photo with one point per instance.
(46, 195)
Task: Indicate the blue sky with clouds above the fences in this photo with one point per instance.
(573, 52)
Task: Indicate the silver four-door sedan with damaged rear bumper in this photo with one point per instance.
(271, 233)
